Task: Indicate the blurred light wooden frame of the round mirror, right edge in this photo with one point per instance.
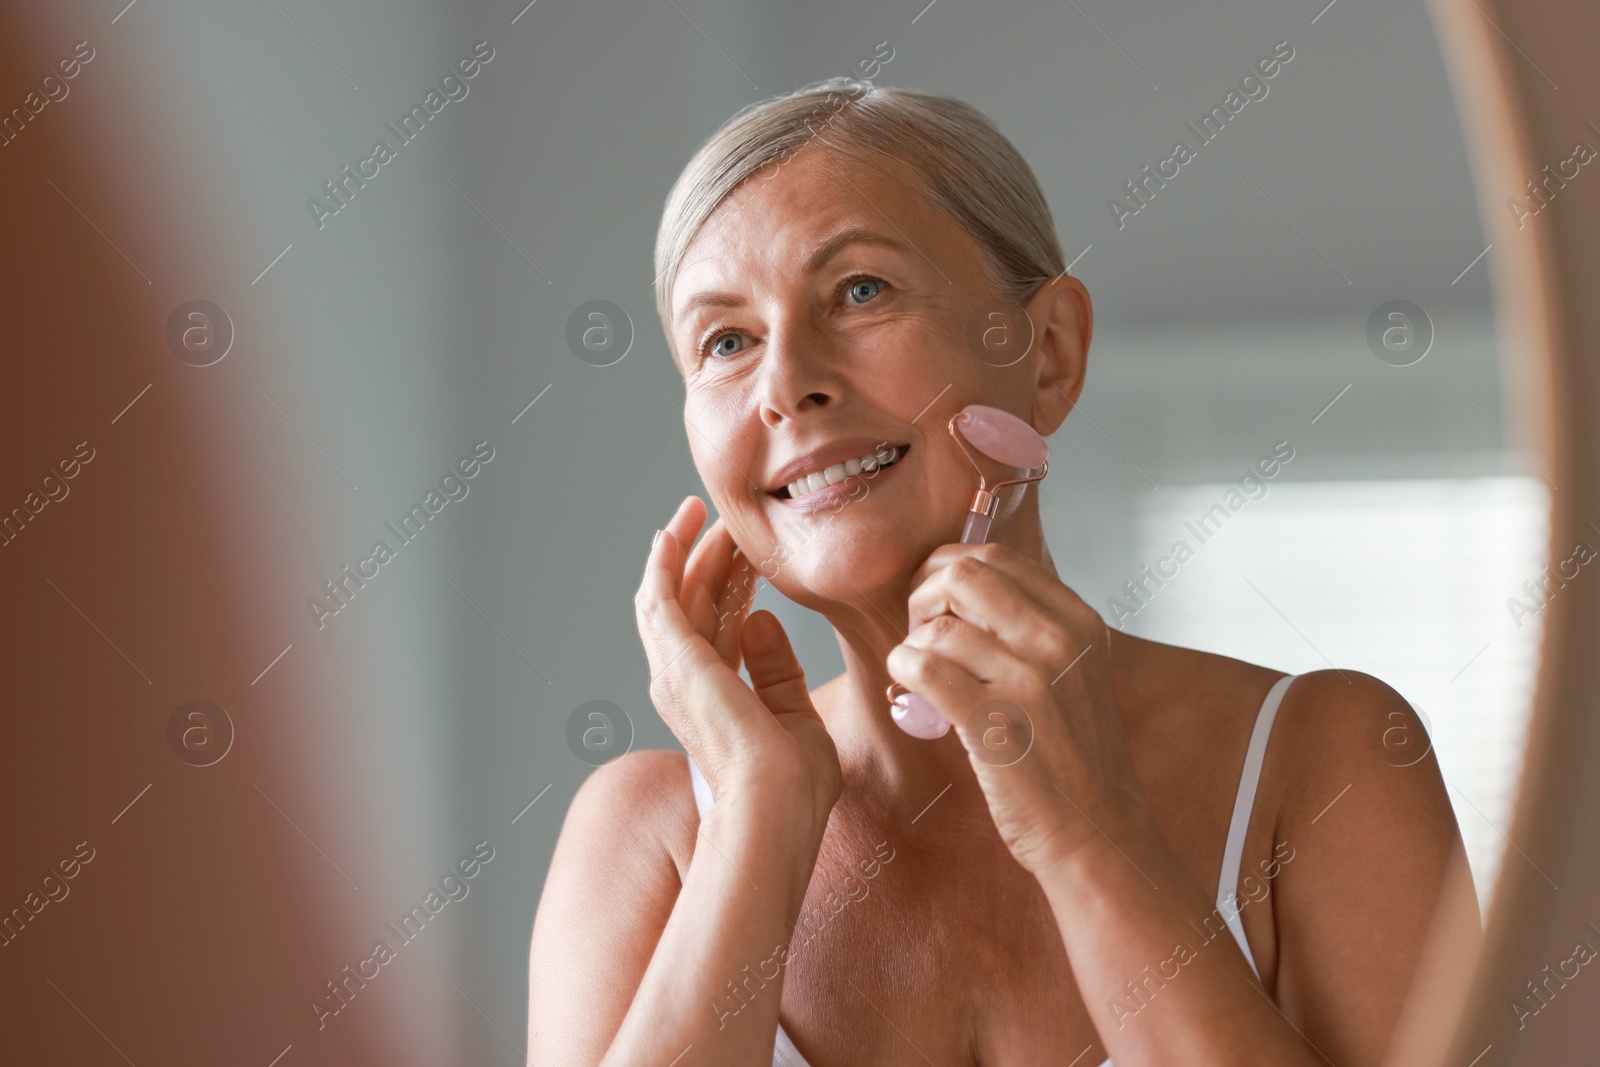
(1514, 122)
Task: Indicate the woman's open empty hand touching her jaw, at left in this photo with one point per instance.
(762, 741)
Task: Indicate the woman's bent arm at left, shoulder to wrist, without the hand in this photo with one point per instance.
(626, 965)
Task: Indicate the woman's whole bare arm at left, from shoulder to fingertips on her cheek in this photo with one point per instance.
(628, 965)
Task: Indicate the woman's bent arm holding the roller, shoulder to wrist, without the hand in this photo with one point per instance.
(1361, 853)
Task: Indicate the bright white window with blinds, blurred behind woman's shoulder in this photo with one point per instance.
(1404, 580)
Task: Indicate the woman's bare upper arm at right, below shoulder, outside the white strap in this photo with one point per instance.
(1358, 905)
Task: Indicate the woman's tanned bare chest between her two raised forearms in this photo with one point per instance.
(948, 953)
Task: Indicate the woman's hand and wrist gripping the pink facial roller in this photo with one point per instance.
(1022, 668)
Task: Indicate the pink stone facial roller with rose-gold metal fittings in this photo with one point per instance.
(1007, 441)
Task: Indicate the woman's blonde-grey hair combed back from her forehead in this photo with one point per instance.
(970, 170)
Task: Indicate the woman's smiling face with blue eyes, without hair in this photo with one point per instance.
(822, 318)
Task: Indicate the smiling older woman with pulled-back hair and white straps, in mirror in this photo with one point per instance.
(817, 887)
